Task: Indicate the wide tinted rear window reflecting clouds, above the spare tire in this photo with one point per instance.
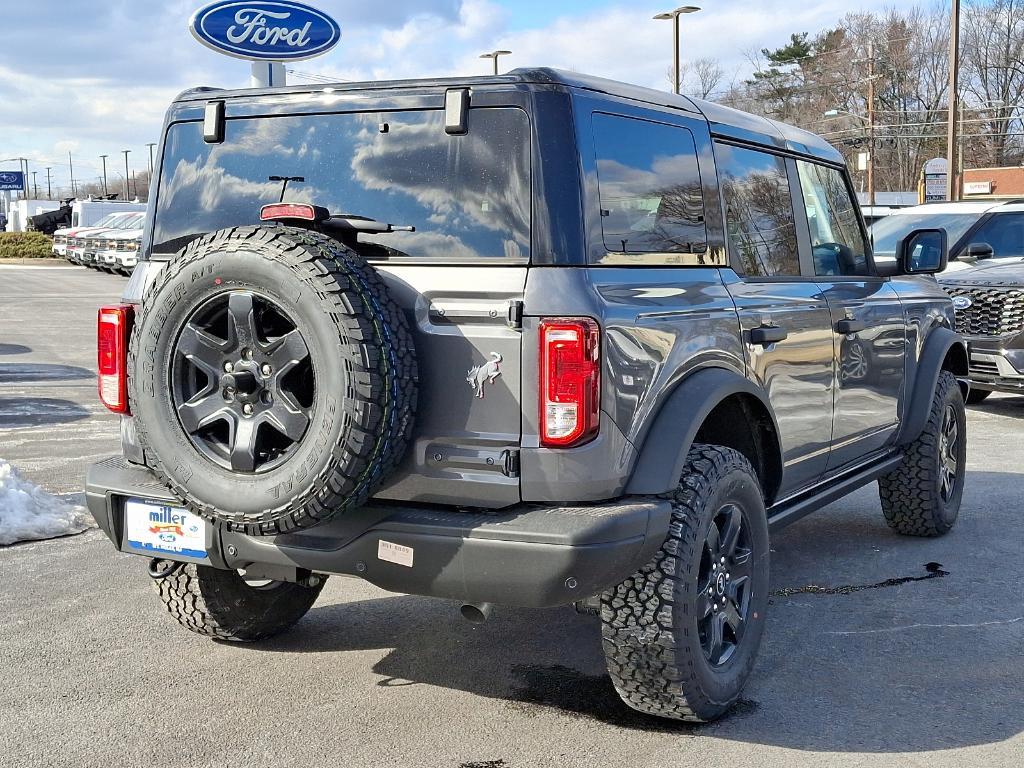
(468, 196)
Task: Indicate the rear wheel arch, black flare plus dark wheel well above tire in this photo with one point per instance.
(712, 406)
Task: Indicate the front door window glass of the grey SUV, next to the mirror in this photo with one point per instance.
(837, 243)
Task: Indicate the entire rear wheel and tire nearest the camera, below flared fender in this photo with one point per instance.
(681, 636)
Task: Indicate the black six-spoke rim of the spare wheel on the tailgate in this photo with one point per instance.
(243, 382)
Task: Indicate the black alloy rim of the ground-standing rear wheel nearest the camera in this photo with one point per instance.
(724, 583)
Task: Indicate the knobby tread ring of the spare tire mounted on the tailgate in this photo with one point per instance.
(380, 349)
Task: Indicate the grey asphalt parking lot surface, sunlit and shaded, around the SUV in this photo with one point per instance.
(870, 658)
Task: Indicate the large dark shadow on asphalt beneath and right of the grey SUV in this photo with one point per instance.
(867, 650)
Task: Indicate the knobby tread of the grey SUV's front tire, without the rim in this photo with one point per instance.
(911, 500)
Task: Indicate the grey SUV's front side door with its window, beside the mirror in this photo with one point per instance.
(869, 330)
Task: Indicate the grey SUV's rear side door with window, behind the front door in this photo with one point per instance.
(784, 316)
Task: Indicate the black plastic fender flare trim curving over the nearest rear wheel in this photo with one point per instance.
(675, 426)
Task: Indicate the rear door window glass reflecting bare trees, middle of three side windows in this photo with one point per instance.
(760, 224)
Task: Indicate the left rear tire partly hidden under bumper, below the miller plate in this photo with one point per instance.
(221, 605)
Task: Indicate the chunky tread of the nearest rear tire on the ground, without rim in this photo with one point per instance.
(652, 672)
